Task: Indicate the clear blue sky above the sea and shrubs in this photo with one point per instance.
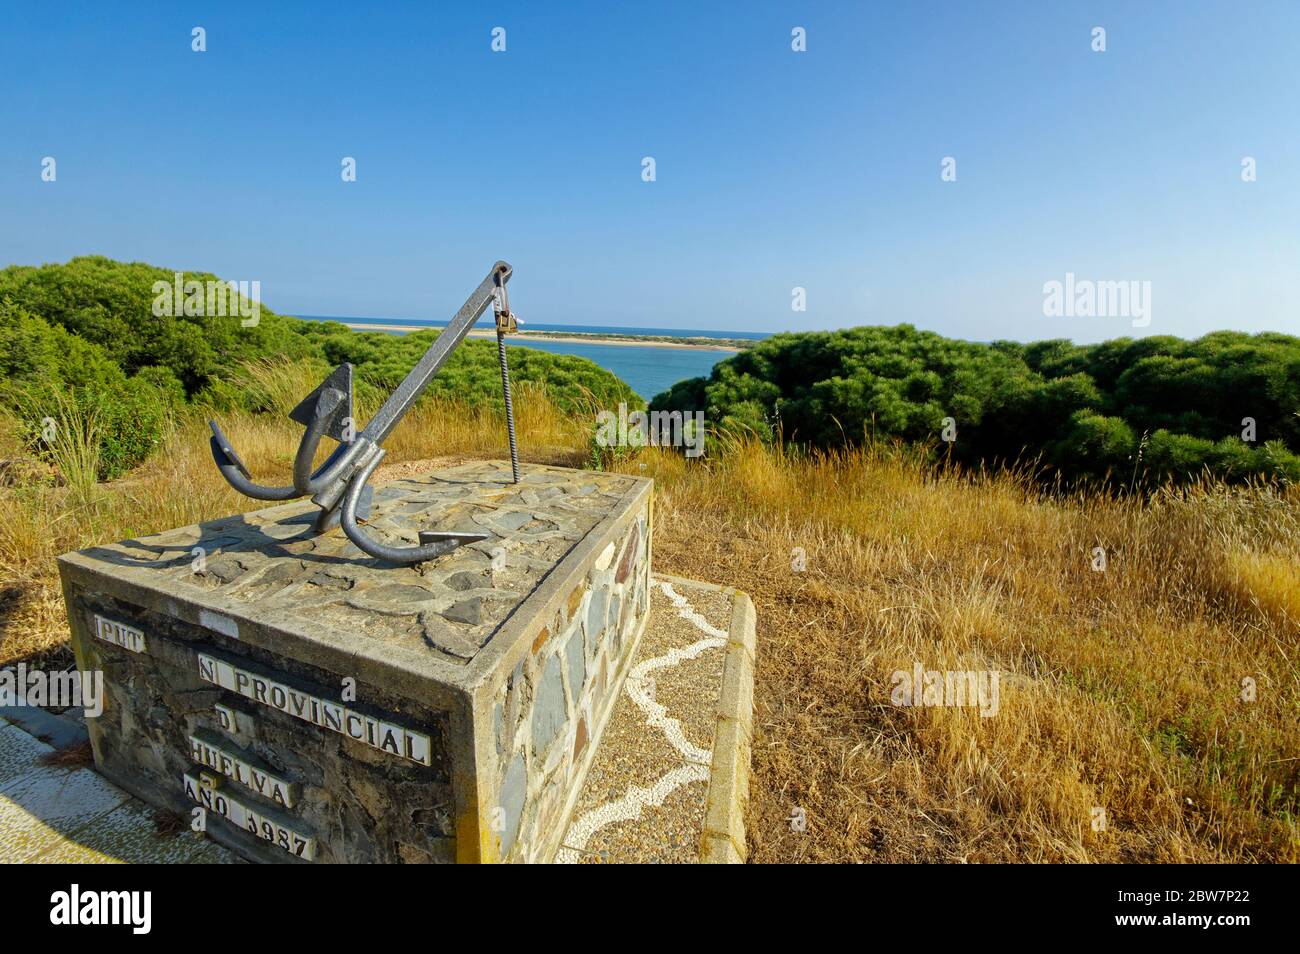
(775, 170)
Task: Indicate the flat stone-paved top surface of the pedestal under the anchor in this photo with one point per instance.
(266, 578)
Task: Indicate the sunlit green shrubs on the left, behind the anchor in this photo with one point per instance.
(81, 342)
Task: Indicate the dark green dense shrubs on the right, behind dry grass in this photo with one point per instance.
(1138, 410)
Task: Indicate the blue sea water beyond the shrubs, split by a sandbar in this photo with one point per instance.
(648, 368)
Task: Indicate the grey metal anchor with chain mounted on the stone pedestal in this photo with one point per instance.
(341, 485)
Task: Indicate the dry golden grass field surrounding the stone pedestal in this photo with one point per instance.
(1121, 690)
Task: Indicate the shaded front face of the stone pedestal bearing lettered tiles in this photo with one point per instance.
(353, 801)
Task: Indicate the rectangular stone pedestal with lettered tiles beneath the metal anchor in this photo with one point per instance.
(324, 706)
